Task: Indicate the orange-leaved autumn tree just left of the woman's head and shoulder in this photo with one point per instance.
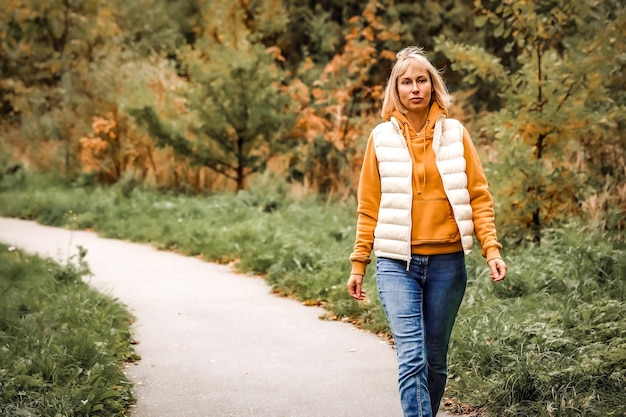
(342, 105)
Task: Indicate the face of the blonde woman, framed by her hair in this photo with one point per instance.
(415, 89)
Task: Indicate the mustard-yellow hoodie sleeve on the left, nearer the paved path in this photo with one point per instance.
(368, 205)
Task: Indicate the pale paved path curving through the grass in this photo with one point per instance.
(215, 343)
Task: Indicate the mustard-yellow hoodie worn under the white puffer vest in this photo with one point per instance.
(434, 230)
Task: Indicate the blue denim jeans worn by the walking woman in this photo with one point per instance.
(421, 305)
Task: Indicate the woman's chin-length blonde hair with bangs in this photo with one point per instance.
(407, 56)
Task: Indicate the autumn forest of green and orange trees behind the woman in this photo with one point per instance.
(199, 98)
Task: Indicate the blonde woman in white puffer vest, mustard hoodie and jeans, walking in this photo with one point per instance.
(422, 197)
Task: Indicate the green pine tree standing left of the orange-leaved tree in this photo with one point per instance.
(238, 113)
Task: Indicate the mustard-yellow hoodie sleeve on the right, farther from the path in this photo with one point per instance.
(481, 201)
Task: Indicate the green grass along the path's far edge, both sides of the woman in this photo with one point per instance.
(550, 341)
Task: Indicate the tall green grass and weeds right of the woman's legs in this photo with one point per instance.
(551, 340)
